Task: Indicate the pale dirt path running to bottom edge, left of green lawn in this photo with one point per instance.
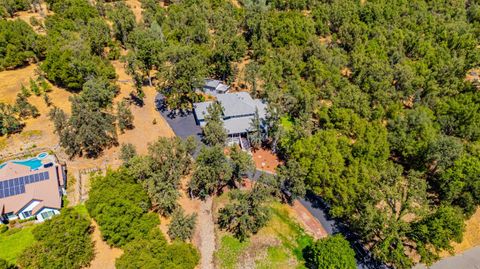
(207, 234)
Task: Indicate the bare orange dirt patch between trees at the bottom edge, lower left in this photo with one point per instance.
(105, 255)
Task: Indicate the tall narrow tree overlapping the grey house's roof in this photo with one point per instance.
(214, 134)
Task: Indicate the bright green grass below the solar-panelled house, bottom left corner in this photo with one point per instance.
(14, 242)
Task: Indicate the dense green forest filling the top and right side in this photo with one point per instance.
(368, 101)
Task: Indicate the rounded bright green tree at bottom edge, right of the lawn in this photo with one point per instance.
(333, 252)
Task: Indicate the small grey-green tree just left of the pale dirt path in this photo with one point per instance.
(182, 226)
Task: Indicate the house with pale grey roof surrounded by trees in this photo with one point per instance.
(238, 112)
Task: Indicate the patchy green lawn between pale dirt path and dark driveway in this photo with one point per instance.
(278, 245)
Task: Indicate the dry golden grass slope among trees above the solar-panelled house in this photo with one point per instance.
(144, 132)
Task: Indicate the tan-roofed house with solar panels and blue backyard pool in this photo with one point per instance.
(31, 188)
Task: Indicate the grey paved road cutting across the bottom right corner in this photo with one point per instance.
(470, 259)
